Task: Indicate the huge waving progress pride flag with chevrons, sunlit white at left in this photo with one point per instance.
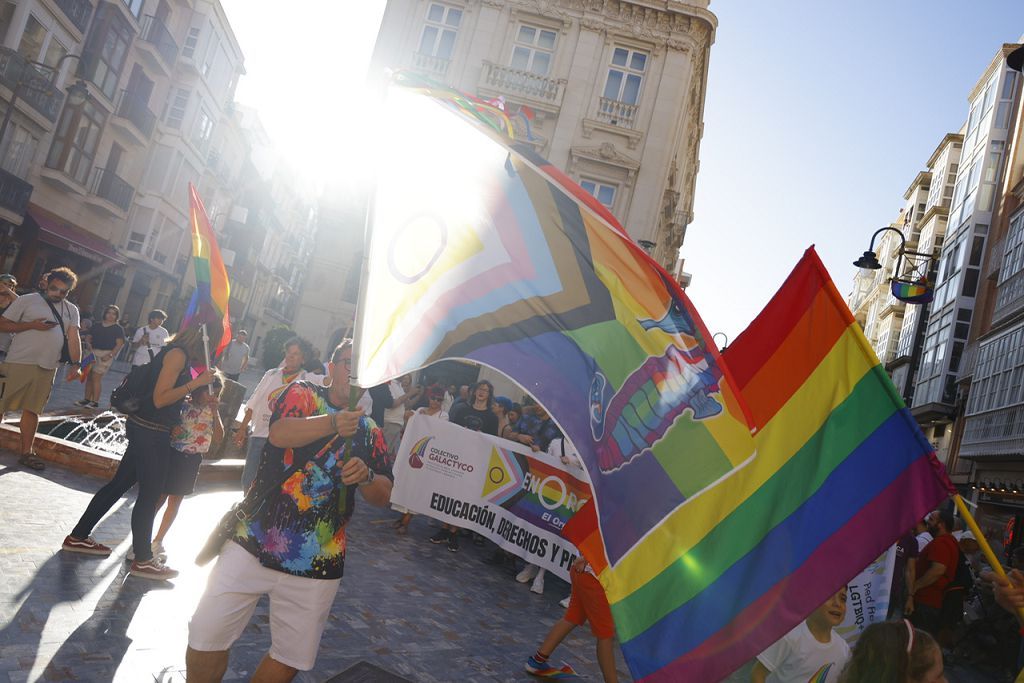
(480, 252)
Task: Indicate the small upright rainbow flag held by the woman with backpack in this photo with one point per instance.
(209, 303)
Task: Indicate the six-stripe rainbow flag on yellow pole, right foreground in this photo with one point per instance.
(842, 471)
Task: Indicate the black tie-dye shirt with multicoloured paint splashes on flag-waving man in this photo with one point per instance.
(302, 530)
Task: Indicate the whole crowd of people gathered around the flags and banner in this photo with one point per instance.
(309, 455)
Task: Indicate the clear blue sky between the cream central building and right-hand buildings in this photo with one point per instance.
(819, 117)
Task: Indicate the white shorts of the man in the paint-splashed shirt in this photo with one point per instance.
(300, 608)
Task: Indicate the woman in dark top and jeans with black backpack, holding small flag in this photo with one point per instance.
(148, 456)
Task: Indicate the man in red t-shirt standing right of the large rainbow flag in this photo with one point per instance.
(936, 568)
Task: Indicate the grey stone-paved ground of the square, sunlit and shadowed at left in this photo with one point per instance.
(405, 606)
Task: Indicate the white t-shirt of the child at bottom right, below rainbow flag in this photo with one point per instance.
(799, 658)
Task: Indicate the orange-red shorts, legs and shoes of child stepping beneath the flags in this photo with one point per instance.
(587, 604)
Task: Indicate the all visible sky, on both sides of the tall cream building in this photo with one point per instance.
(819, 116)
